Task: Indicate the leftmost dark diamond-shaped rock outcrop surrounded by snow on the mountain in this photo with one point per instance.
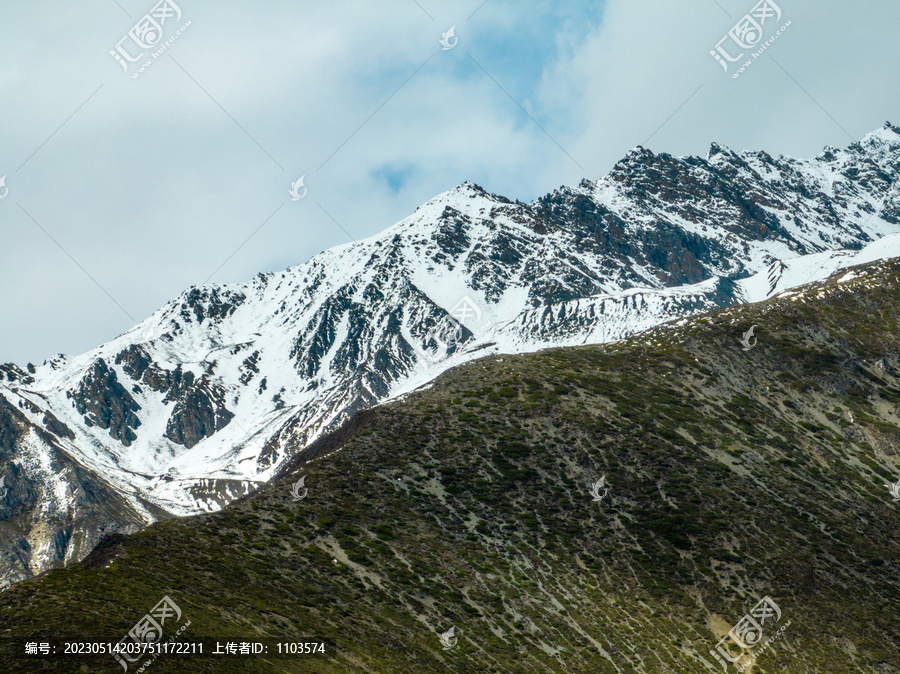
(104, 402)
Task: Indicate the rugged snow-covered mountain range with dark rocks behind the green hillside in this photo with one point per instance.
(205, 399)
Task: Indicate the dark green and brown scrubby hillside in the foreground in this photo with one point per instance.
(732, 475)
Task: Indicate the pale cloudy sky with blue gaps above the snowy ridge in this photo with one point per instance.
(121, 188)
